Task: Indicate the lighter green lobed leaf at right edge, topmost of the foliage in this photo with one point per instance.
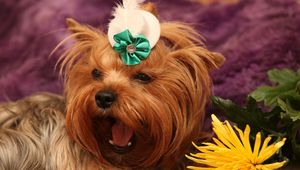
(287, 83)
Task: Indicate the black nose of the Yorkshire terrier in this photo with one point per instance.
(105, 99)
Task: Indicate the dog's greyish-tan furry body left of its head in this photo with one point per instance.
(33, 136)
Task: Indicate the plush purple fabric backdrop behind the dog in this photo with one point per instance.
(254, 36)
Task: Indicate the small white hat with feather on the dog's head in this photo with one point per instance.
(128, 15)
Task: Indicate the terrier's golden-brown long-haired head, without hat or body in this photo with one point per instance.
(137, 116)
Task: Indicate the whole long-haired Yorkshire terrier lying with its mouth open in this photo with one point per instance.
(113, 115)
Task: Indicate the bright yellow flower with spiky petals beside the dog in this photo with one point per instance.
(232, 152)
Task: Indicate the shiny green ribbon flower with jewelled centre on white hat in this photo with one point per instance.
(131, 49)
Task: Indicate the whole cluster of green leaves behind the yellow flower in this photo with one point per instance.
(284, 118)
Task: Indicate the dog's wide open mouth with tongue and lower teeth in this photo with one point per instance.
(122, 138)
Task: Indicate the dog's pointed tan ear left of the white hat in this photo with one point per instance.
(82, 32)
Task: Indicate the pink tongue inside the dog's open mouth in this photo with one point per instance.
(121, 134)
